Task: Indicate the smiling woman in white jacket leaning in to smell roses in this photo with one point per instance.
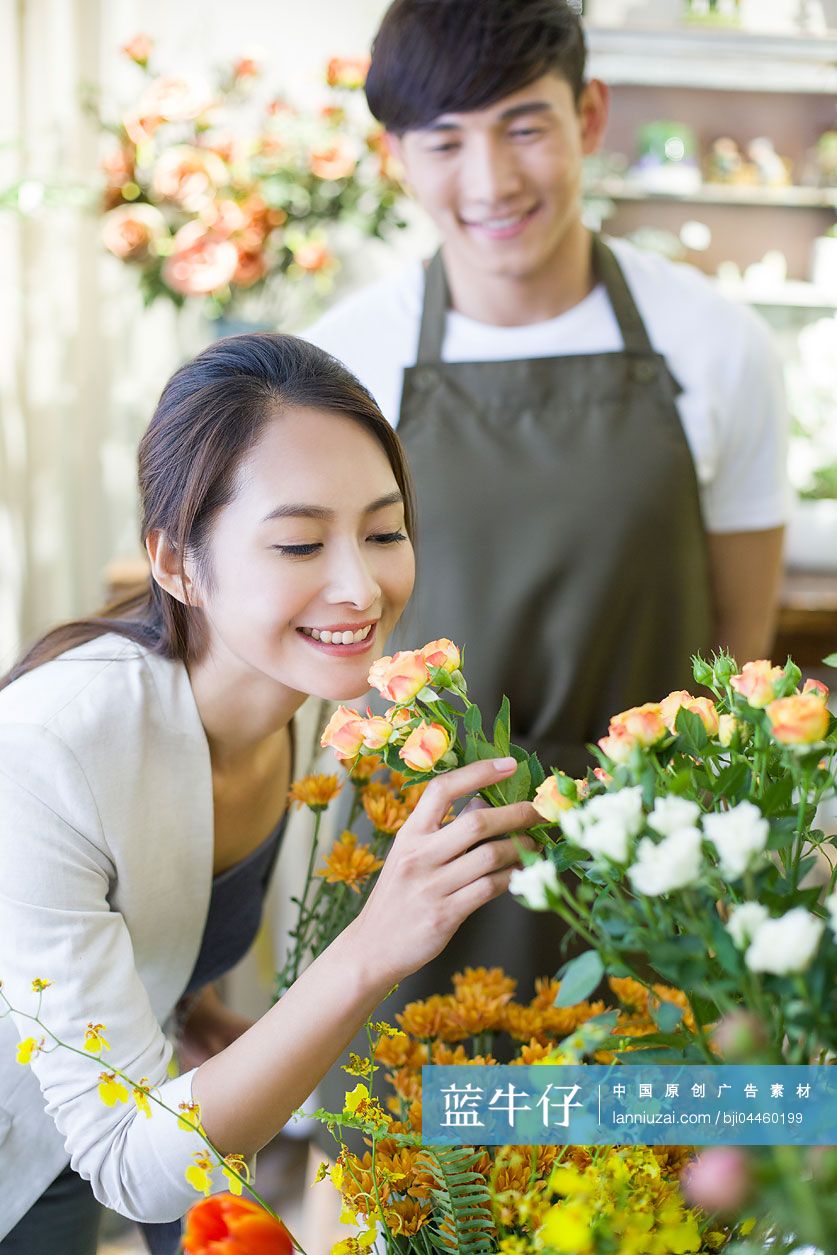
(145, 761)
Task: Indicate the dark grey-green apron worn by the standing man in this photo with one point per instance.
(560, 540)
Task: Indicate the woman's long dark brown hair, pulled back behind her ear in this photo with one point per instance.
(211, 414)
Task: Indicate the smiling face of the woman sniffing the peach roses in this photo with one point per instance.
(311, 563)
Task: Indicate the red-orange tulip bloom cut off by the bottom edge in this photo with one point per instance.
(224, 1226)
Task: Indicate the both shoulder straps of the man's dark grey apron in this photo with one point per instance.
(437, 303)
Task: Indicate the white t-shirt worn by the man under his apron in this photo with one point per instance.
(732, 406)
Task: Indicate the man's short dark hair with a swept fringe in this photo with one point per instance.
(435, 57)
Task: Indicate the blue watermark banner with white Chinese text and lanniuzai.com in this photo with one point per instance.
(648, 1105)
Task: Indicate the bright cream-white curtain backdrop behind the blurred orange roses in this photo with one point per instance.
(82, 362)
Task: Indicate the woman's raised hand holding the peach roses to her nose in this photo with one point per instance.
(436, 877)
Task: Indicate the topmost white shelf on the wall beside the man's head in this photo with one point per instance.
(727, 61)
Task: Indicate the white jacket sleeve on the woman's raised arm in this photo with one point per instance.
(57, 924)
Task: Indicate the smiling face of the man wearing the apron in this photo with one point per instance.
(503, 185)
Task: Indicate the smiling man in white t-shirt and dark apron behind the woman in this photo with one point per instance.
(598, 439)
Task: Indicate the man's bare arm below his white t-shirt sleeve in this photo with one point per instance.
(746, 573)
